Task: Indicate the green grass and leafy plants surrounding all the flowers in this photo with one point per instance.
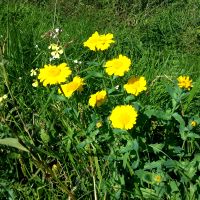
(69, 159)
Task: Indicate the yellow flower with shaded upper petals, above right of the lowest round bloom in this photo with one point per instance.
(136, 85)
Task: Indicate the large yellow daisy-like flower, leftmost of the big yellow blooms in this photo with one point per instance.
(52, 74)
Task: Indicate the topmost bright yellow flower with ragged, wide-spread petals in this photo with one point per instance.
(99, 42)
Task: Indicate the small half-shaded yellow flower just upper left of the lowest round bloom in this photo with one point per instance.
(98, 99)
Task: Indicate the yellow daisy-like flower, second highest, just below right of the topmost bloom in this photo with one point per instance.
(118, 66)
